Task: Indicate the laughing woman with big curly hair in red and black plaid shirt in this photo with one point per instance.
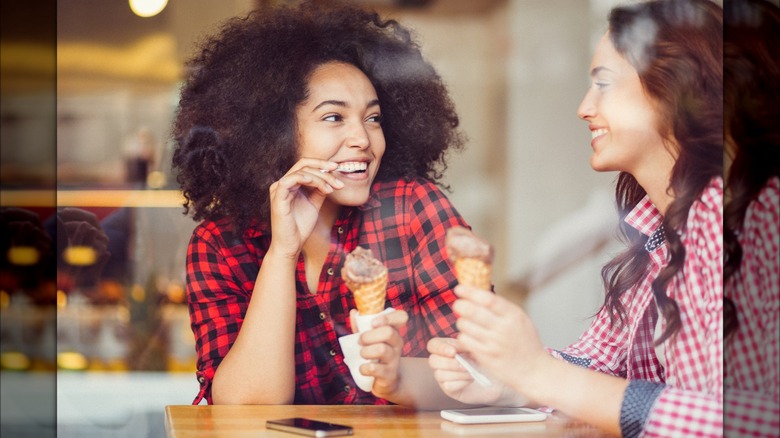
(280, 133)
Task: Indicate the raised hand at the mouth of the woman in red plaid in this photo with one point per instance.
(296, 200)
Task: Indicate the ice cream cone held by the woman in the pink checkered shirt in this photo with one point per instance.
(471, 256)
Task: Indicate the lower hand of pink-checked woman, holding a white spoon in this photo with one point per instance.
(455, 381)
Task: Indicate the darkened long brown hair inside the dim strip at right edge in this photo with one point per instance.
(751, 88)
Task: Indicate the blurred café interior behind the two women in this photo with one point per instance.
(100, 81)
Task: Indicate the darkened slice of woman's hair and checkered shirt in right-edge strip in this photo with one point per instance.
(751, 235)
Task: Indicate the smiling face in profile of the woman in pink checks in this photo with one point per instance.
(622, 119)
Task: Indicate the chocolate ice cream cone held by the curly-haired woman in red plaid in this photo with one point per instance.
(366, 277)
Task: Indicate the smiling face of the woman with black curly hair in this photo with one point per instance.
(340, 121)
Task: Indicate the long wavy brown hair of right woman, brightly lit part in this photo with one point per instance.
(681, 70)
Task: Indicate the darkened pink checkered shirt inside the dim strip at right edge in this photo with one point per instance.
(752, 355)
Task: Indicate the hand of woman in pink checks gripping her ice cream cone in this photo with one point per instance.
(498, 335)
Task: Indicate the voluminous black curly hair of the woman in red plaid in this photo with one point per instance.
(235, 126)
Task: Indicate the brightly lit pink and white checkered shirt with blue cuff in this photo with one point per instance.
(684, 397)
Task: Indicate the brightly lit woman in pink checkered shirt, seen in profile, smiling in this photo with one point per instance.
(651, 361)
